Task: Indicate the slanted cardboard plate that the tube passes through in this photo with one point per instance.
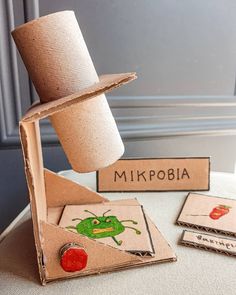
(106, 83)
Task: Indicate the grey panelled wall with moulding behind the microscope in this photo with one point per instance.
(182, 104)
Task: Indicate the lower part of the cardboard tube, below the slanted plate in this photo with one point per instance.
(91, 140)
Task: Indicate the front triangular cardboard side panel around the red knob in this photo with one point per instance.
(101, 256)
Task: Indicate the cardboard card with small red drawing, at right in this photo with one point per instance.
(209, 213)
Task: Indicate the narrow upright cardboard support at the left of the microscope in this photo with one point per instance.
(32, 152)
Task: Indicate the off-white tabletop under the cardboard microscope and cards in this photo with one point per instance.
(195, 272)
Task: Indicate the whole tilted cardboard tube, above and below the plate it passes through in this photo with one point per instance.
(57, 59)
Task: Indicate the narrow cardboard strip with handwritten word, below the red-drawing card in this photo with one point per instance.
(209, 242)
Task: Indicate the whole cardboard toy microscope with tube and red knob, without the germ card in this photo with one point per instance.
(72, 97)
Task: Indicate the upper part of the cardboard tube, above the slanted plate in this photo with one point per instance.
(55, 55)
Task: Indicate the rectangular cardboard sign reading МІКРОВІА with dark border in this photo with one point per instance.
(170, 174)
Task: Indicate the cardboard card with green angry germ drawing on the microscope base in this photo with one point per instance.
(122, 227)
